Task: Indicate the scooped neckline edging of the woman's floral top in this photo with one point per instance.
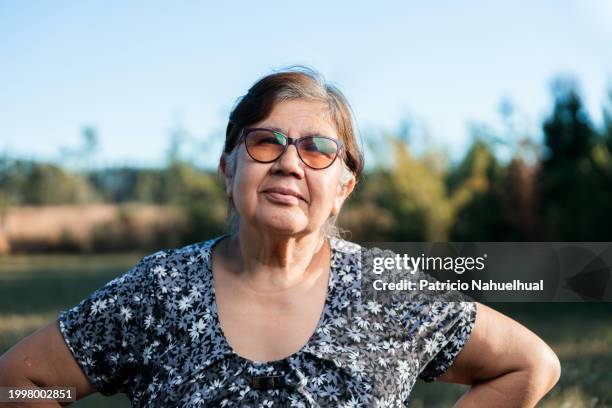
(323, 319)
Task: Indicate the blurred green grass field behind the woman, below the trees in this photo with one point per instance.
(34, 289)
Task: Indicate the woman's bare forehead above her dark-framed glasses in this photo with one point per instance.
(299, 118)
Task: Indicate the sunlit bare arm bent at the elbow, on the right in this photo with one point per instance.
(506, 364)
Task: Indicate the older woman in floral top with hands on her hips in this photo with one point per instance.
(270, 315)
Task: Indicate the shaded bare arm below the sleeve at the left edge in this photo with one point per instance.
(43, 360)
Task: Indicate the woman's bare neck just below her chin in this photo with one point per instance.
(277, 263)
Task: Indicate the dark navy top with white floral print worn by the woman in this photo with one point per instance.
(153, 334)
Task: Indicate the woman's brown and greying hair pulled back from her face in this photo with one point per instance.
(296, 82)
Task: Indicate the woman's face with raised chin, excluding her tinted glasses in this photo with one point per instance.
(259, 189)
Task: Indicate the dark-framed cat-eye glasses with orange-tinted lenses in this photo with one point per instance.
(267, 145)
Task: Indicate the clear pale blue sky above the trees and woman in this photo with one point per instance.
(136, 70)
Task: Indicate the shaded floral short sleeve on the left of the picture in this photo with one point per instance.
(106, 331)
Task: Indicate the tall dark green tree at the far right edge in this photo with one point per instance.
(574, 187)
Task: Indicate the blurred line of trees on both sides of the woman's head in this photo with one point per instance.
(556, 190)
